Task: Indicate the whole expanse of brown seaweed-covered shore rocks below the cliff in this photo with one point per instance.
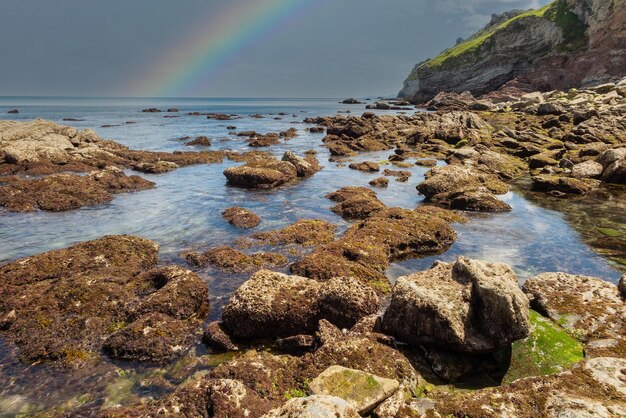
(329, 333)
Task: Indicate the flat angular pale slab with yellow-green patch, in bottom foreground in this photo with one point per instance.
(363, 390)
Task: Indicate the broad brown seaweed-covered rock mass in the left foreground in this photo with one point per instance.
(71, 300)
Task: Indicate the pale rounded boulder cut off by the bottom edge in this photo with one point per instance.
(317, 406)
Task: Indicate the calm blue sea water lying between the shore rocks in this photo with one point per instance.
(184, 211)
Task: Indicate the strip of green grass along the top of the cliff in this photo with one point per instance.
(557, 11)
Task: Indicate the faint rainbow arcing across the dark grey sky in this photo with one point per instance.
(187, 67)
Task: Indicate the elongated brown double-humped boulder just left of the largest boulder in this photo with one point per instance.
(277, 305)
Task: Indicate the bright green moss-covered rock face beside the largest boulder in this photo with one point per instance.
(548, 350)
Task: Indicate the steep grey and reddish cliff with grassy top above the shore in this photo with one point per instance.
(565, 44)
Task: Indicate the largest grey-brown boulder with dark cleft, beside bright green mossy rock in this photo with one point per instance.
(469, 306)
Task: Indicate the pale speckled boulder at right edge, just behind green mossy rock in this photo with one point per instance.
(590, 308)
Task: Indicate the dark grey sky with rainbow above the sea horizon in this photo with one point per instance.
(233, 48)
